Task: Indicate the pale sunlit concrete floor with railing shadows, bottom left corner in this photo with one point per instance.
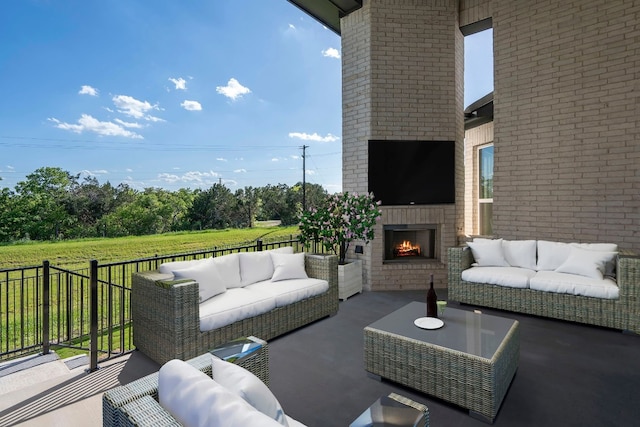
(51, 394)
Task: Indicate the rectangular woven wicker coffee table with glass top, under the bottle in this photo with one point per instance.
(470, 361)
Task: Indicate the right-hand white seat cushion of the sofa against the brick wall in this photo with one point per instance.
(551, 281)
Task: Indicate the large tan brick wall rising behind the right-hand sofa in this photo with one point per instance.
(567, 146)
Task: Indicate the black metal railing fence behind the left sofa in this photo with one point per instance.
(87, 309)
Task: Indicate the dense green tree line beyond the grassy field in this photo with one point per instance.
(52, 204)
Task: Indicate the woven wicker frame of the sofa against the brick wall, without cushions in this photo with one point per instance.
(620, 310)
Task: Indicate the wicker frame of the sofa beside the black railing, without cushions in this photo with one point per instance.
(166, 313)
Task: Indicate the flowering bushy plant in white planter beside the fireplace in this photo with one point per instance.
(341, 219)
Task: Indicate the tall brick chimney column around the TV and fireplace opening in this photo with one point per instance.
(402, 80)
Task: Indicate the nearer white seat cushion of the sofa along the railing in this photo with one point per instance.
(233, 305)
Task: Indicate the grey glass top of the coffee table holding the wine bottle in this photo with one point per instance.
(472, 333)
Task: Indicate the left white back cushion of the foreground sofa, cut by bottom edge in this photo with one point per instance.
(195, 400)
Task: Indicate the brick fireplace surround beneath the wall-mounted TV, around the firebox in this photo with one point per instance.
(409, 276)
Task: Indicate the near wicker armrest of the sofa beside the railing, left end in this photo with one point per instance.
(165, 315)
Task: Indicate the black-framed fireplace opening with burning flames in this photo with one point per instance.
(409, 242)
